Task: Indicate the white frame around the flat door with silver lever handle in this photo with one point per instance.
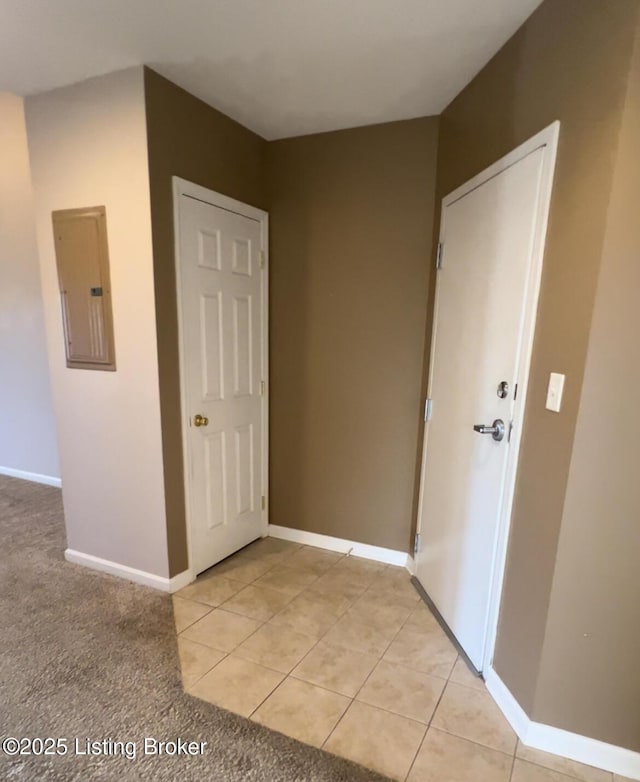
(548, 140)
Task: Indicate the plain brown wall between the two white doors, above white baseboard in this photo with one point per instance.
(351, 218)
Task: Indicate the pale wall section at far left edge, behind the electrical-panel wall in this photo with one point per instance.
(27, 424)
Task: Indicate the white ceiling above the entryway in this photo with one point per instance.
(280, 67)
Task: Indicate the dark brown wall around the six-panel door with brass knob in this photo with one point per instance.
(189, 139)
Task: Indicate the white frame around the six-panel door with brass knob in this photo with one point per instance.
(184, 187)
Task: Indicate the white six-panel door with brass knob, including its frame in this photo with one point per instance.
(222, 313)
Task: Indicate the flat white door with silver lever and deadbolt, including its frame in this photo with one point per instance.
(492, 234)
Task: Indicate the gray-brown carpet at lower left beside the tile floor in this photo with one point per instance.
(87, 655)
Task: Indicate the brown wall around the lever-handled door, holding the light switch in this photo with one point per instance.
(569, 61)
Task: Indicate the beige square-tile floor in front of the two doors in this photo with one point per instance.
(342, 654)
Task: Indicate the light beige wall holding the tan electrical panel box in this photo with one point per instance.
(88, 147)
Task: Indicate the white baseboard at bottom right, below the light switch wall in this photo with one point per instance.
(592, 752)
